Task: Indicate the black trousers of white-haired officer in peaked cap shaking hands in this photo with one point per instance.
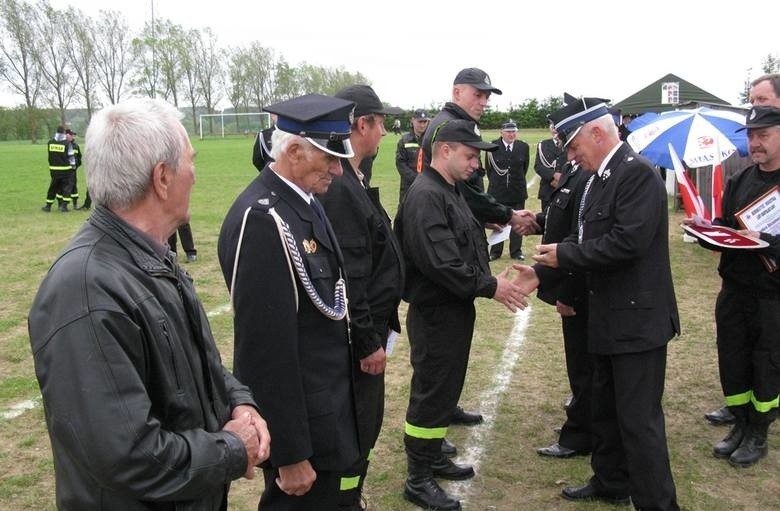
(629, 431)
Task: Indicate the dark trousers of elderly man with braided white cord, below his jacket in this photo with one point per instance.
(323, 494)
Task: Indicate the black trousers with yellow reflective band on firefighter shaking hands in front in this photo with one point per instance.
(440, 340)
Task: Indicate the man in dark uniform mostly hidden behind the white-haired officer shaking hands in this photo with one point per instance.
(569, 296)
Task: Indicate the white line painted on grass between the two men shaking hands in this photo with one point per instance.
(479, 436)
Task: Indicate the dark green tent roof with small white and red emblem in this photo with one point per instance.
(650, 98)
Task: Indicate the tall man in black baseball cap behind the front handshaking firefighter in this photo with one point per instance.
(470, 93)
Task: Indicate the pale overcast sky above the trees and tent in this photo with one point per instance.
(412, 50)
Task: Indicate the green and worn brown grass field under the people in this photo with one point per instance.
(518, 382)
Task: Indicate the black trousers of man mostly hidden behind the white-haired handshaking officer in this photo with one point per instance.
(576, 431)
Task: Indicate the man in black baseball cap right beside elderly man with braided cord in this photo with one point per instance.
(374, 267)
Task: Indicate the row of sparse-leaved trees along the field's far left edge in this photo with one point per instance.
(60, 60)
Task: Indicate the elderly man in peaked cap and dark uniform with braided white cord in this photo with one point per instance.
(285, 272)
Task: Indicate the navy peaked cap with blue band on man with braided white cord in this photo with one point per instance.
(324, 121)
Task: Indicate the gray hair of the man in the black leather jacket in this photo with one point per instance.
(123, 144)
